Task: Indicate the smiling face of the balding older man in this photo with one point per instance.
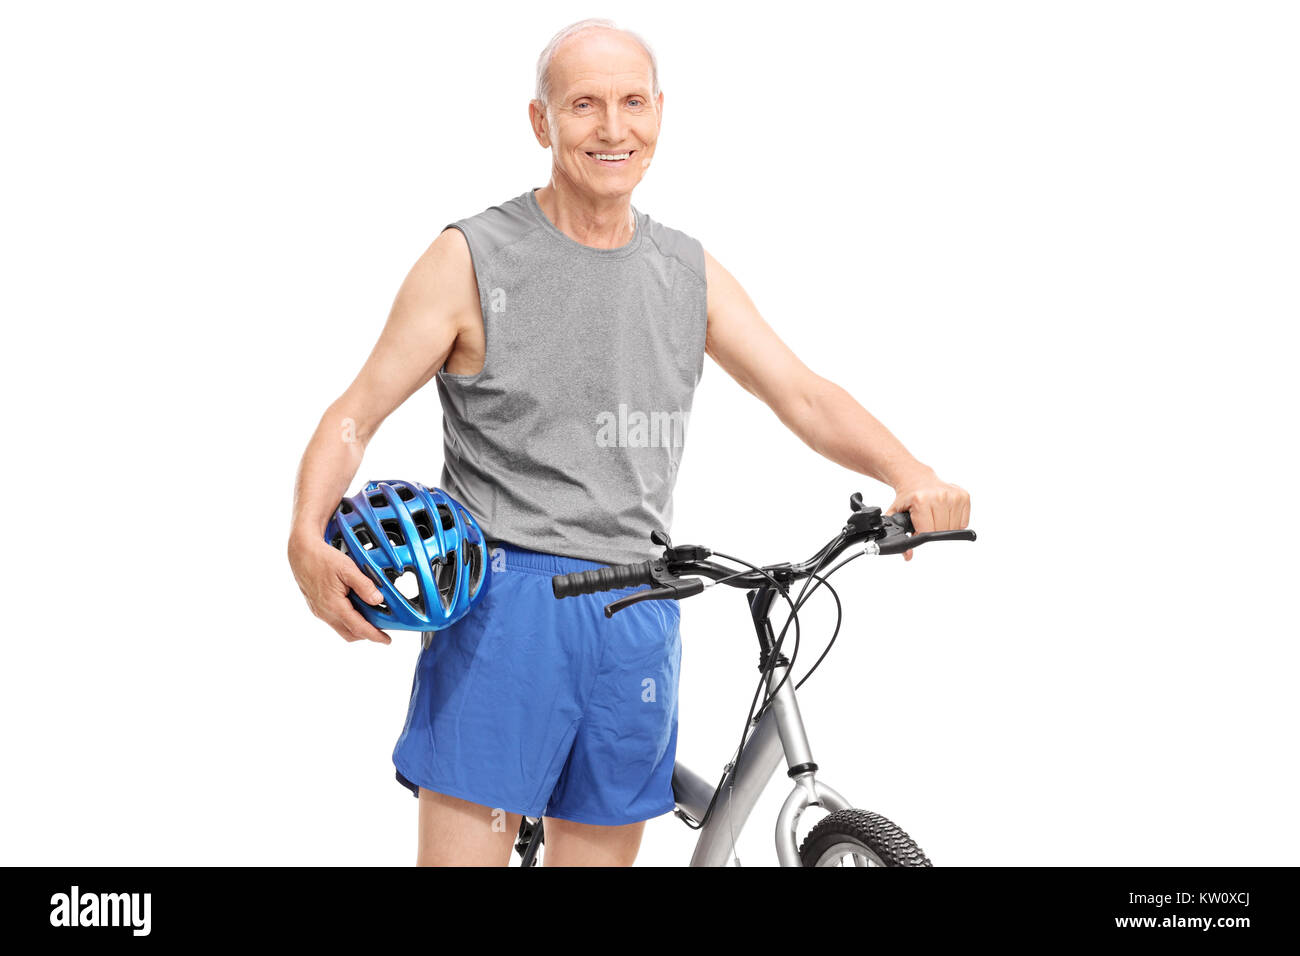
(603, 123)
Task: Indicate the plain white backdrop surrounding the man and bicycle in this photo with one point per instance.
(1052, 246)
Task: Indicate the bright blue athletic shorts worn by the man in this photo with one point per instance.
(545, 707)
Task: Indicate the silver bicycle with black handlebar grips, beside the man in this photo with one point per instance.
(775, 729)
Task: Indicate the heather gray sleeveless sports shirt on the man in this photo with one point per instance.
(569, 440)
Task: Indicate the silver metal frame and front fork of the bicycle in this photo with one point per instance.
(779, 732)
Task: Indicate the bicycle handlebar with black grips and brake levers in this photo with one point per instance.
(883, 534)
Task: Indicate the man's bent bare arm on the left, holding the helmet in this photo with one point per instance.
(435, 305)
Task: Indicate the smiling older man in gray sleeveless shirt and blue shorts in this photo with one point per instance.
(566, 331)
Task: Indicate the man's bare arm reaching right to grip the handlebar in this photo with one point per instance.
(821, 413)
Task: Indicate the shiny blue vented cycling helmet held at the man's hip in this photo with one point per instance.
(424, 552)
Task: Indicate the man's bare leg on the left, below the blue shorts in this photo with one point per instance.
(458, 833)
